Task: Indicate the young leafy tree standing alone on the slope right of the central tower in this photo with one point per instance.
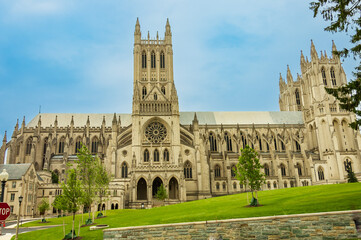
(248, 171)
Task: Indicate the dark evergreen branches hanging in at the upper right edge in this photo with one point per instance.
(345, 16)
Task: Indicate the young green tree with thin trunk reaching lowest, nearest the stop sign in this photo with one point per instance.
(72, 196)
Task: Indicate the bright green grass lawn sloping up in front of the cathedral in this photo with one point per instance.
(276, 202)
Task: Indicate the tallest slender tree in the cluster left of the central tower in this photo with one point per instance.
(86, 167)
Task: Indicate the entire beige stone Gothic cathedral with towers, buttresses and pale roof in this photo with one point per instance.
(193, 154)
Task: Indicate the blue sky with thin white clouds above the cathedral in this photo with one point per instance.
(77, 56)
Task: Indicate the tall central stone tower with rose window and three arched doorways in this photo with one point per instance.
(156, 148)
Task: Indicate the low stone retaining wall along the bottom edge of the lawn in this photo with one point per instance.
(330, 225)
